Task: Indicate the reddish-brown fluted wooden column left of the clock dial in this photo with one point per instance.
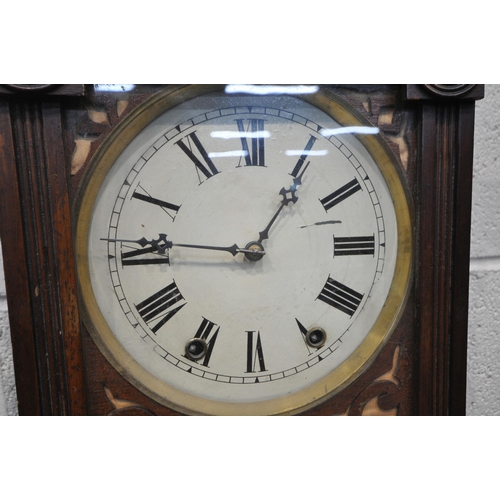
(35, 227)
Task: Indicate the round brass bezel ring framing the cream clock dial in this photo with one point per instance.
(334, 382)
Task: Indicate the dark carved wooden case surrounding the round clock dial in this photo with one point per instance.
(50, 135)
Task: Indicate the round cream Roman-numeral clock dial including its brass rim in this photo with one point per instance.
(243, 254)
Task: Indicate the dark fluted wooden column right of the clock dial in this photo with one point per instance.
(444, 190)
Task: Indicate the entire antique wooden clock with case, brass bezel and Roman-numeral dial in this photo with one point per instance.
(240, 250)
